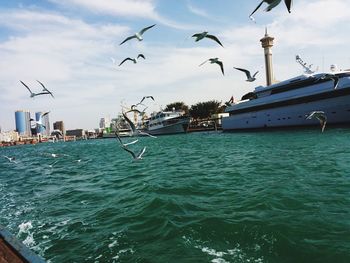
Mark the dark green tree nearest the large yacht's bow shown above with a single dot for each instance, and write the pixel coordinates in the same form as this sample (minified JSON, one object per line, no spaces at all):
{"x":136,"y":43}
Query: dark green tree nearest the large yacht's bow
{"x":204,"y":110}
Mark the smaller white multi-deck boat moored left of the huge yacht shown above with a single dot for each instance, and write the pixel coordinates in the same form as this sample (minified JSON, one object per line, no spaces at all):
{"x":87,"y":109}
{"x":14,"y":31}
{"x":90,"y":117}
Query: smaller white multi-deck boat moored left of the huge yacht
{"x":166,"y":122}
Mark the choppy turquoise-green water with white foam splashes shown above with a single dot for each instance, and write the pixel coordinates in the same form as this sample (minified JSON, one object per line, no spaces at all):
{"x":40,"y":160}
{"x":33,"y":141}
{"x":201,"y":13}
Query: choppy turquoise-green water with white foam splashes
{"x":201,"y":197}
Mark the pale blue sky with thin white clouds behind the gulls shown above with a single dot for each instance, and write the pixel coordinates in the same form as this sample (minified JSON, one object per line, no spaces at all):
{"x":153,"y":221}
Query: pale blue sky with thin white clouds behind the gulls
{"x":68,"y":46}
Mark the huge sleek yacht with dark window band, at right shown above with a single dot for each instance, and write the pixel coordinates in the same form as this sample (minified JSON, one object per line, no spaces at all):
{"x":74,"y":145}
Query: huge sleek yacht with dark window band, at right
{"x":286,"y":104}
